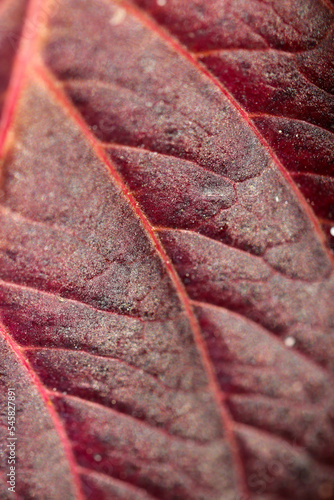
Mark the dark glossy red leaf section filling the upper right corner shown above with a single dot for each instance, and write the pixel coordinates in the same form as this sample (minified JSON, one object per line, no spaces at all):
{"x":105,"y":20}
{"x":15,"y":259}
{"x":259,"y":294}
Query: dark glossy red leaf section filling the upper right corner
{"x":276,"y":59}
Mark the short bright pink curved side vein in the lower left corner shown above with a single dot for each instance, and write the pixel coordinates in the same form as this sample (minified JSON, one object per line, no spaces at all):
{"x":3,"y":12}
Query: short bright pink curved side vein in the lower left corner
{"x":49,"y":406}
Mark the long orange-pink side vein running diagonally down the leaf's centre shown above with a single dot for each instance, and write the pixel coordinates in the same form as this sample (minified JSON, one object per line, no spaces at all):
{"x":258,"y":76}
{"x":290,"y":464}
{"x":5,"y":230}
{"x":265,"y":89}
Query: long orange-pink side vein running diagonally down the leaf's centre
{"x":58,"y":94}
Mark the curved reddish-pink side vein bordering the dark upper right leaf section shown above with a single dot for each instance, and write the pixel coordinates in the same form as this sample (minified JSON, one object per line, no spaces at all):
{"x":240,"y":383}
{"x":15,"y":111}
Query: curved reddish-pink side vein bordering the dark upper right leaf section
{"x":162,"y":33}
